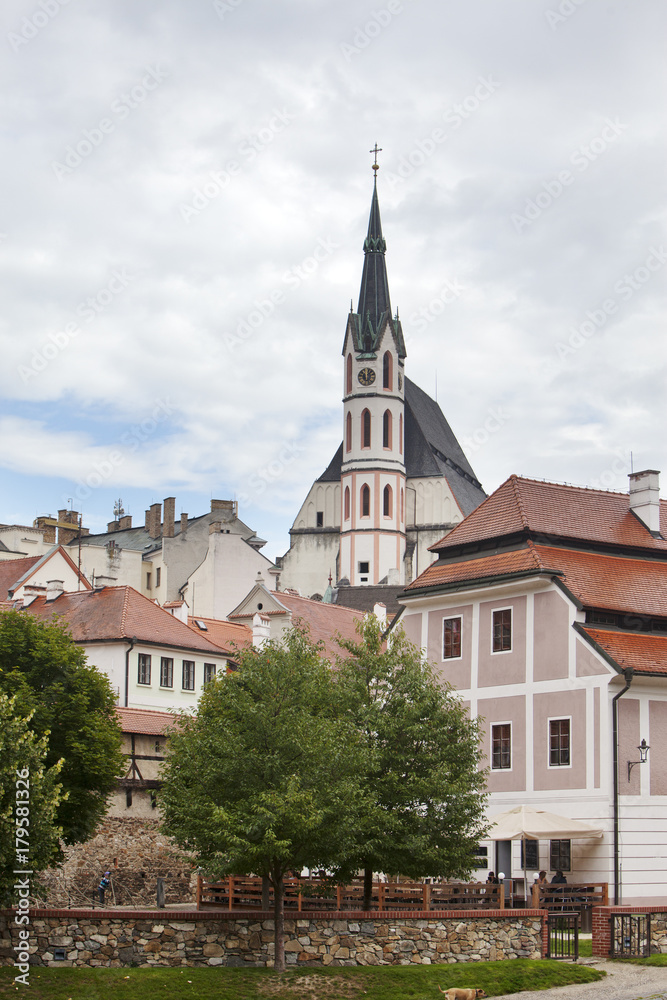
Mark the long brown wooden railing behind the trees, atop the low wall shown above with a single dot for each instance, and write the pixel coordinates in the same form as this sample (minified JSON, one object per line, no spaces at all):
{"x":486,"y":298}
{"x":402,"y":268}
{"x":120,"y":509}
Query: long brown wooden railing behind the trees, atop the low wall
{"x":244,"y":893}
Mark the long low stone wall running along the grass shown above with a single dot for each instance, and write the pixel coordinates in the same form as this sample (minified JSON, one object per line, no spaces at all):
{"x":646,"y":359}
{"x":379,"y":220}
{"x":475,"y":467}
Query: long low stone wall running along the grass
{"x":106,"y":938}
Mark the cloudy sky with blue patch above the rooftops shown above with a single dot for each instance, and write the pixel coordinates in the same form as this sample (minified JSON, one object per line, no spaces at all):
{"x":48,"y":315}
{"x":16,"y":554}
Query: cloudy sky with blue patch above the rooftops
{"x":187,"y":188}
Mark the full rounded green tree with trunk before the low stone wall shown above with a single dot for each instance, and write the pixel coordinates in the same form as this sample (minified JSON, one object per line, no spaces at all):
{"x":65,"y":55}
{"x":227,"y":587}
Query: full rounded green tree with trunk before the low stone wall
{"x":263,"y":780}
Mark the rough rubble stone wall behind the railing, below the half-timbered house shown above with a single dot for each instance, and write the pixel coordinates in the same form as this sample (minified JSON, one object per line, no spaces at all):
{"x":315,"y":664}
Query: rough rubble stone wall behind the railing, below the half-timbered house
{"x":136,"y":854}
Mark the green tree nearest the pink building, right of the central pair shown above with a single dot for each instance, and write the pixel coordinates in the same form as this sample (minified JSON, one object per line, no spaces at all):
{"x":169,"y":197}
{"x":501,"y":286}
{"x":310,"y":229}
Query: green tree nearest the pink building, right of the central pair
{"x":423,"y":780}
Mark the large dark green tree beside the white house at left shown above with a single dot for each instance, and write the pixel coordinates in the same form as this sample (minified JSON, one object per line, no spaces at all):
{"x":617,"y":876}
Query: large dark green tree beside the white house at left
{"x":72,"y":702}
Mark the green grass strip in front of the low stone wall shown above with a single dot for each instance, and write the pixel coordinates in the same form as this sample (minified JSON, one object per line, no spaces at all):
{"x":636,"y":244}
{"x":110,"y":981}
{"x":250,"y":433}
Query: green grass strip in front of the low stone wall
{"x":389,"y":982}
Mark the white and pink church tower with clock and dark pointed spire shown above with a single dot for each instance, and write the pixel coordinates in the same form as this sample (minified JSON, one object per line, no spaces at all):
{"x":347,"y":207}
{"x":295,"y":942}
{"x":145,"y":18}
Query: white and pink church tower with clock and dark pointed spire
{"x":373,"y":471}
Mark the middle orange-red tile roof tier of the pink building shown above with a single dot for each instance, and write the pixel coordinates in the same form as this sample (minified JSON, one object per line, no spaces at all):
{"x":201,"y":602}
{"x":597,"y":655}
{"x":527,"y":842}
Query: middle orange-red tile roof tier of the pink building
{"x":597,"y":580}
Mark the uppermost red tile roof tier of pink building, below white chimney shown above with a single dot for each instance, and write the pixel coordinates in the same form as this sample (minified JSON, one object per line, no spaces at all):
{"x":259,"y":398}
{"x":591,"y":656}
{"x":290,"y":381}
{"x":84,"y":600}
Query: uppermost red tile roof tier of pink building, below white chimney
{"x":570,"y":512}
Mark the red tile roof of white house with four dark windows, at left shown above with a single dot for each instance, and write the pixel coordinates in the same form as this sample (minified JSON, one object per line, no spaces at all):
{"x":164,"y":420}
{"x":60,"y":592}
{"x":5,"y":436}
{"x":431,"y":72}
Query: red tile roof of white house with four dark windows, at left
{"x":114,"y":613}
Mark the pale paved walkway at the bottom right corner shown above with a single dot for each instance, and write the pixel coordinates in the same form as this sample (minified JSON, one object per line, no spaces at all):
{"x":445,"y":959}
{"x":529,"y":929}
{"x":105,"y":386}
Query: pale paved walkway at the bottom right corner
{"x":624,"y":981}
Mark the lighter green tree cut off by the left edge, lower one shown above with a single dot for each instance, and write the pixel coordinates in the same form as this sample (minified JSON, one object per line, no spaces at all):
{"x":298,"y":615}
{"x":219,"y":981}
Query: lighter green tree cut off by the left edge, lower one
{"x":30,"y":793}
